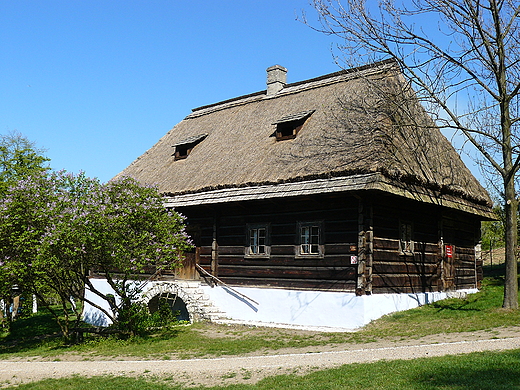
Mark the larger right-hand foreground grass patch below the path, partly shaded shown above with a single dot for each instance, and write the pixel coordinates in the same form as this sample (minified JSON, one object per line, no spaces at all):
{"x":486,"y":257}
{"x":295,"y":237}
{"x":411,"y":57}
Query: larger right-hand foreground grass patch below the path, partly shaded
{"x":476,"y":371}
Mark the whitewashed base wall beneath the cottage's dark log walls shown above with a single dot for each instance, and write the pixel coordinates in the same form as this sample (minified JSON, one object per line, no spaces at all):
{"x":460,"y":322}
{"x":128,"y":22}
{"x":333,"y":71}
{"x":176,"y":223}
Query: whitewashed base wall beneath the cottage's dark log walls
{"x":336,"y":310}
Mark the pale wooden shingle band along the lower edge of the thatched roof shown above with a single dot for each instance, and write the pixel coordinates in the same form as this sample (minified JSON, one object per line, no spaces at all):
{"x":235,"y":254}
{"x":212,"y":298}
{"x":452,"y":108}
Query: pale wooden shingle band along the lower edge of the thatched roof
{"x":360,"y":182}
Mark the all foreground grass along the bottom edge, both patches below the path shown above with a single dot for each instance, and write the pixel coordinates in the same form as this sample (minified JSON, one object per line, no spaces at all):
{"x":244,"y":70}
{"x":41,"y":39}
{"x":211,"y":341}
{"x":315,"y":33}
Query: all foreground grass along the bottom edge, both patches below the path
{"x":482,"y":371}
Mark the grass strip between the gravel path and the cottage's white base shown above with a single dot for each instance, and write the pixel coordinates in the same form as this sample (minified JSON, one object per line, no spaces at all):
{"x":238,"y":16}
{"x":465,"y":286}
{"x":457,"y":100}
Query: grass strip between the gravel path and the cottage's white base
{"x":36,"y":335}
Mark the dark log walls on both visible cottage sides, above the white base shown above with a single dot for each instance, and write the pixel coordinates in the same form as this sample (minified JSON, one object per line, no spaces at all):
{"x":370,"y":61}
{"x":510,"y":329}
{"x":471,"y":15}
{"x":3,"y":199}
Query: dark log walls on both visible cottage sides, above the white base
{"x":366,"y":226}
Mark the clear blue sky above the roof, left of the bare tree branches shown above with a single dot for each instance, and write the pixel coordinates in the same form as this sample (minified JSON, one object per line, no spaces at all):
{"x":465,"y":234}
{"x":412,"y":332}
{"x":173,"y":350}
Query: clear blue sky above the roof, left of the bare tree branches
{"x":97,"y":83}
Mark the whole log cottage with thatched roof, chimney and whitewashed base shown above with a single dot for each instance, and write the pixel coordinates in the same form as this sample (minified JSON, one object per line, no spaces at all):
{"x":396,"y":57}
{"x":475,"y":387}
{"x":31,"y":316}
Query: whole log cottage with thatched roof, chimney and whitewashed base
{"x":330,"y":201}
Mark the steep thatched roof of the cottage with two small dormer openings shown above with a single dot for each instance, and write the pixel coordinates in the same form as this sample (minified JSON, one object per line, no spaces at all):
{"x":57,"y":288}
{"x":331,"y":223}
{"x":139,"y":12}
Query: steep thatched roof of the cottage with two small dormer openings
{"x":357,"y":124}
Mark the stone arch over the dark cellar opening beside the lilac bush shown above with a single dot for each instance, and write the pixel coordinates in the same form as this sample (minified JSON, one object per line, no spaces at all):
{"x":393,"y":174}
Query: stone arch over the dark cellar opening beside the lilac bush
{"x":182,"y":301}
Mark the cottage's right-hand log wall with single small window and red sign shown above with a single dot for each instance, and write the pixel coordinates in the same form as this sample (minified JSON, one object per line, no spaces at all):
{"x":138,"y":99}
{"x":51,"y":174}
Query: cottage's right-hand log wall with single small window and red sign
{"x":427,"y":269}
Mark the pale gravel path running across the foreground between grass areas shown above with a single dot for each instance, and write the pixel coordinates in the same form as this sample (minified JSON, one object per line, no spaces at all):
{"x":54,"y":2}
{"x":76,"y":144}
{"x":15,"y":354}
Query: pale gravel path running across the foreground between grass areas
{"x":250,"y":369}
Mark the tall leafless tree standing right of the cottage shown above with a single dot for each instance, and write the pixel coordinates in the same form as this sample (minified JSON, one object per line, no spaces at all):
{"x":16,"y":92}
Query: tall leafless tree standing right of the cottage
{"x":462,"y":58}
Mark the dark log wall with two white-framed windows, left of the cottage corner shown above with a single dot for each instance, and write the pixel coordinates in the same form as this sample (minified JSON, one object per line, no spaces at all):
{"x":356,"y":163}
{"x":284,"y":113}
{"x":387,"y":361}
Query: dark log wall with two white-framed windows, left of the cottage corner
{"x":226,"y":258}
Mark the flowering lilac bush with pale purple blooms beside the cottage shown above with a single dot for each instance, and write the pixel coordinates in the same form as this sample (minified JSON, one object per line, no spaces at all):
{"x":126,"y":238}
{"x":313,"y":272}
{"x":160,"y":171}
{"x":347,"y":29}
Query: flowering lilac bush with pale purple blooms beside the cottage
{"x":57,"y":228}
